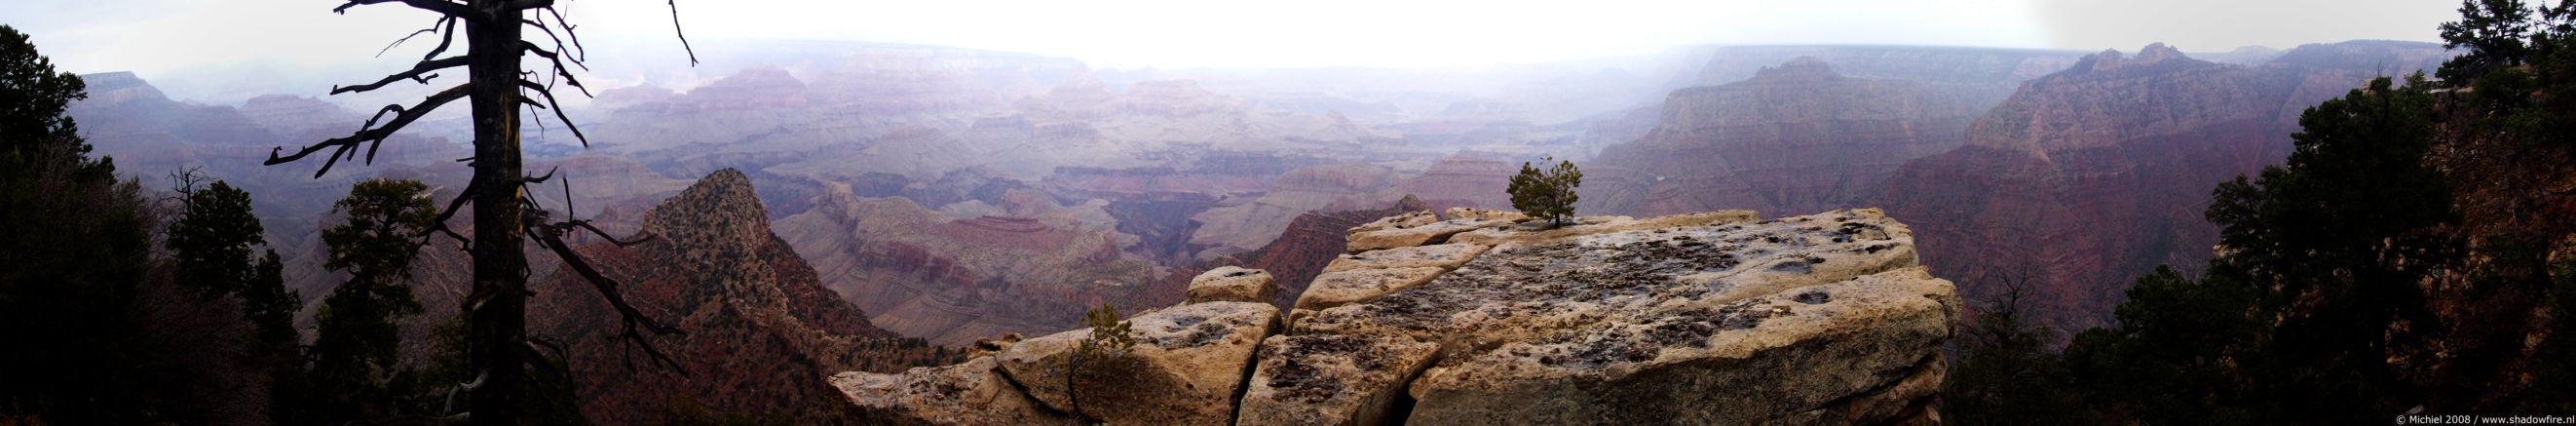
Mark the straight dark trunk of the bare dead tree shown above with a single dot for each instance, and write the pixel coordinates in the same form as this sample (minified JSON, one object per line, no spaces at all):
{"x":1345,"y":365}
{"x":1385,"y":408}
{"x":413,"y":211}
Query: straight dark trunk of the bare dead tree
{"x":501,"y":265}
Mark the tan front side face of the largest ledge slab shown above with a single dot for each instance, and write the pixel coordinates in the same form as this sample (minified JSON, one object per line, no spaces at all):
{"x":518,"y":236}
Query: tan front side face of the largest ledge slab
{"x":1866,"y":352}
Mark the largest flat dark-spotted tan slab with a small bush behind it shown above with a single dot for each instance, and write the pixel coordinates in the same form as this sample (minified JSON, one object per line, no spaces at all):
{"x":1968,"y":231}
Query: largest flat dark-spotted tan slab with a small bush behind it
{"x":1820,"y":316}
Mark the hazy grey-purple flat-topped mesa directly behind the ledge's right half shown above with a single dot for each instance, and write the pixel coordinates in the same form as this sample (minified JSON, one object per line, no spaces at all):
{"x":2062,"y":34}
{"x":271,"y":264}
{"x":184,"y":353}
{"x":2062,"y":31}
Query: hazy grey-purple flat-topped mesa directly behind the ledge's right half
{"x":1797,"y":138}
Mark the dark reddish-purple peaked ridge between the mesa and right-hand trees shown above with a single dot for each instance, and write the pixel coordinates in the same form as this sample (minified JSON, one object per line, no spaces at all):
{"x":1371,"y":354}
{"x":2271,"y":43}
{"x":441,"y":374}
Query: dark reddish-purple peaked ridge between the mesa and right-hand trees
{"x":2098,"y":174}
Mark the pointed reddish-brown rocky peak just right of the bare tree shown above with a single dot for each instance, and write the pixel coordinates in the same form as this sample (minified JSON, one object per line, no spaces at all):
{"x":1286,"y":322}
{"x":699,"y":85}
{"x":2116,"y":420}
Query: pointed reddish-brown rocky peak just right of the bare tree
{"x":761,"y":332}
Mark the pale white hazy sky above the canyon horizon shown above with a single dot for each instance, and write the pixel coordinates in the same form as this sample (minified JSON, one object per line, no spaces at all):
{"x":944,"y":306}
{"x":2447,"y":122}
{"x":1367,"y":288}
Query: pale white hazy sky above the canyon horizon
{"x":161,"y":37}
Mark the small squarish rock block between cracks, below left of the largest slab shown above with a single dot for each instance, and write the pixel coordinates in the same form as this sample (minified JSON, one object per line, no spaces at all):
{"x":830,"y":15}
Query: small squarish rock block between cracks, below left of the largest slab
{"x":1331,"y":378}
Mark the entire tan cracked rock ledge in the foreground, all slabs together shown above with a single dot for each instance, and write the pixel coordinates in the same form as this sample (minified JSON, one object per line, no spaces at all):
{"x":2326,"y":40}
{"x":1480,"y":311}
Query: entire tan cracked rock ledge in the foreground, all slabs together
{"x":1488,"y":319}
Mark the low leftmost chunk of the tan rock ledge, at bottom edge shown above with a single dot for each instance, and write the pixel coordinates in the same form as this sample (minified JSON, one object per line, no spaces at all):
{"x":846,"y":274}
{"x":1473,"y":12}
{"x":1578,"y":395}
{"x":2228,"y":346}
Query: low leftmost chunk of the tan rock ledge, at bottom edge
{"x":962,"y":394}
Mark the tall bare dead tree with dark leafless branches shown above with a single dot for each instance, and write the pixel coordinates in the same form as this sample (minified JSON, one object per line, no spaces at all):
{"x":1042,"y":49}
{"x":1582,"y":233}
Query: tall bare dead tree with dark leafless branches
{"x":496,"y":35}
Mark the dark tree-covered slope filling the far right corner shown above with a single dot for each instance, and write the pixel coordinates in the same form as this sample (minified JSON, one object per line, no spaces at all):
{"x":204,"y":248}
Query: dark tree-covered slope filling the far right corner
{"x":2400,"y":262}
